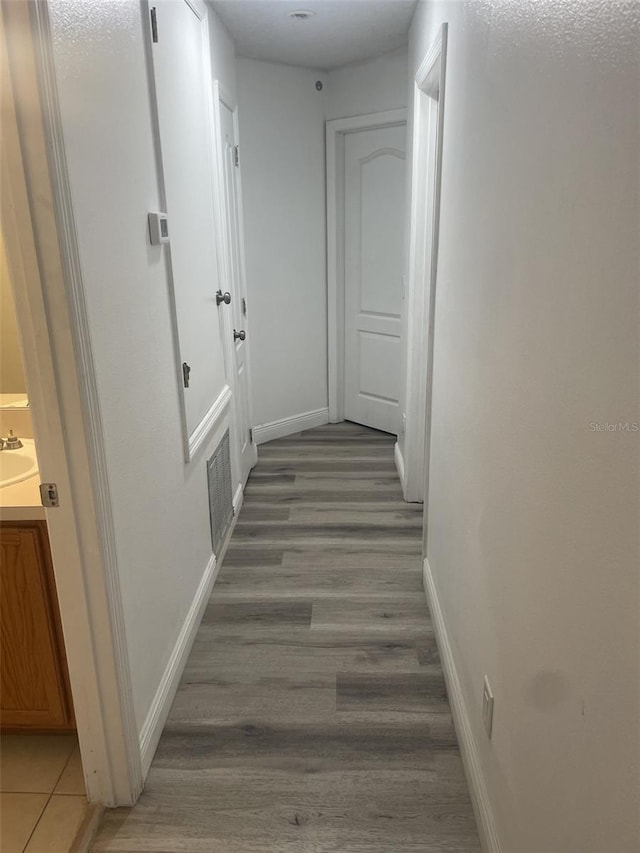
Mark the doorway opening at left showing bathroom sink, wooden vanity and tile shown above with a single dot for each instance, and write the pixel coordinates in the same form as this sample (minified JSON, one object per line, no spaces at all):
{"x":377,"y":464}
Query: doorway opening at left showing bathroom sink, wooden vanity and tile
{"x":42,"y":778}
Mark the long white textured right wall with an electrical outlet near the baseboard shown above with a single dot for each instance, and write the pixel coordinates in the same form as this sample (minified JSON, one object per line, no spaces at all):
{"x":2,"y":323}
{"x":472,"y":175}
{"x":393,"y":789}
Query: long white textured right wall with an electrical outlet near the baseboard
{"x":533,"y":517}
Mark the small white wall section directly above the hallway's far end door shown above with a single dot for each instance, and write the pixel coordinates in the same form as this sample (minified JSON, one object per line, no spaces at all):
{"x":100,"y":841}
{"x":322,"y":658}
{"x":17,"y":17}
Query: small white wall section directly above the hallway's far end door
{"x":368,"y":87}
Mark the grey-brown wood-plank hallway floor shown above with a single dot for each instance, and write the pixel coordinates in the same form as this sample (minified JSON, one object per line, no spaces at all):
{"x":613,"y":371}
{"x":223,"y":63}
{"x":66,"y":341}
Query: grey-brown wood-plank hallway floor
{"x":312,"y":716}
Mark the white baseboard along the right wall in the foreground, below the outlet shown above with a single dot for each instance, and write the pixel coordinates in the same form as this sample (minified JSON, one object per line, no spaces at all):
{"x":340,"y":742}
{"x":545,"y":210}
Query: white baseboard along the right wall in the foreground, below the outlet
{"x":473,"y":770}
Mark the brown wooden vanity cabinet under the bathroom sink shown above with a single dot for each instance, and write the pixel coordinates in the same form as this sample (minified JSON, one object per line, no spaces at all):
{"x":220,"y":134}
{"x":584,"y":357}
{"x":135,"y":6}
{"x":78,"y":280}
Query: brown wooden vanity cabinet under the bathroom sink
{"x":34,"y":680}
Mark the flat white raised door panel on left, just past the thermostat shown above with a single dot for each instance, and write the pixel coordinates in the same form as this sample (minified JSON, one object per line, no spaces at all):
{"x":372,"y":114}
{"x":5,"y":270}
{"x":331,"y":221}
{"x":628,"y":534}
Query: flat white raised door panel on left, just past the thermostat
{"x":184,"y":105}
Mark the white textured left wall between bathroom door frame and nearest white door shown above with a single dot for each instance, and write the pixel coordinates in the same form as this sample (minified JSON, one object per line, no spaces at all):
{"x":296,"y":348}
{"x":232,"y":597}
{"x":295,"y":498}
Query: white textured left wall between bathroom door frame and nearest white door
{"x":160,"y":505}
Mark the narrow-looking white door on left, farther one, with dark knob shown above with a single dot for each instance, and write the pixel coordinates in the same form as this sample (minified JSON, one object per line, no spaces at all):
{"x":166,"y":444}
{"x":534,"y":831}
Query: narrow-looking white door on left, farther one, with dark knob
{"x":236,"y":285}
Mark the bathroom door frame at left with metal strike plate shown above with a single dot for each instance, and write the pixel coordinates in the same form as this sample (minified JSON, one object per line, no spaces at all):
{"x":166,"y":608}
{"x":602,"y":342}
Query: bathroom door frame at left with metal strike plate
{"x":43,"y":255}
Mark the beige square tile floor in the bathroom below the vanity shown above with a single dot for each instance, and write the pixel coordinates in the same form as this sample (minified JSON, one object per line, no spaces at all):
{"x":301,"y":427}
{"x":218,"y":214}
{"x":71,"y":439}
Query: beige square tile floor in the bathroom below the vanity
{"x":42,"y":794}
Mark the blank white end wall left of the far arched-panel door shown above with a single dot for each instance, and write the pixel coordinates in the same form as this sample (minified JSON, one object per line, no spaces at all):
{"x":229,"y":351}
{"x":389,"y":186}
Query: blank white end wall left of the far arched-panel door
{"x":281,"y":119}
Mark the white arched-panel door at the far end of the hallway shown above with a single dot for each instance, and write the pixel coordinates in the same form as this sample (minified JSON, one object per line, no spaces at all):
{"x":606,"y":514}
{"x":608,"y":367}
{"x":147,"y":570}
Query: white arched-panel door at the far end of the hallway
{"x":373,"y":249}
